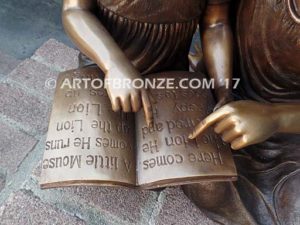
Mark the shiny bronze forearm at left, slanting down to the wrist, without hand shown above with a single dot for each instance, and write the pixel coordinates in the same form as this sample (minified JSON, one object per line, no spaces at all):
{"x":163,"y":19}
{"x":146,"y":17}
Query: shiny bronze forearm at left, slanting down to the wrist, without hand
{"x":90,"y":36}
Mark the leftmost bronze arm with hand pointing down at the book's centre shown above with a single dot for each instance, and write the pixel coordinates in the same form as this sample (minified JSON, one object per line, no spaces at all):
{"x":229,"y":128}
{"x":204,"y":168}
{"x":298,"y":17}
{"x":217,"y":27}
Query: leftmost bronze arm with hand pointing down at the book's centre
{"x":91,"y":37}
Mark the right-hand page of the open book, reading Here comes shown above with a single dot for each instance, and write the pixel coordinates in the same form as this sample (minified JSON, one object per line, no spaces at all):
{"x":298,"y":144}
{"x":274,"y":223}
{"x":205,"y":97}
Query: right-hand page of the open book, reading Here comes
{"x":165,"y":155}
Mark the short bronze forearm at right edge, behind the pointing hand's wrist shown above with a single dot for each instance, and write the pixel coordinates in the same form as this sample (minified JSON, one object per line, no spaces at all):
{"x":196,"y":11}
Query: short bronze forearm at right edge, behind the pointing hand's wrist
{"x":289,"y":118}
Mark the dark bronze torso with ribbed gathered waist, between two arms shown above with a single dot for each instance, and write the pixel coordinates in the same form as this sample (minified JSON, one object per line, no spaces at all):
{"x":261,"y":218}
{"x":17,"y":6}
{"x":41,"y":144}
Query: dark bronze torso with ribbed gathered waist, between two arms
{"x":155,"y":35}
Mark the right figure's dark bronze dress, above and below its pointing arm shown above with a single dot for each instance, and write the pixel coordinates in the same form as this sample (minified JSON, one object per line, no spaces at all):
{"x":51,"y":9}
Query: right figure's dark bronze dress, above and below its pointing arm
{"x":268,"y":33}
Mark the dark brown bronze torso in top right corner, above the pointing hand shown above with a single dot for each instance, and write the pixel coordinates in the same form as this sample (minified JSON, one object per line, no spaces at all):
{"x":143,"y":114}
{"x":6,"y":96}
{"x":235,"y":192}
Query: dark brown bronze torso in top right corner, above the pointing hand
{"x":269,"y":39}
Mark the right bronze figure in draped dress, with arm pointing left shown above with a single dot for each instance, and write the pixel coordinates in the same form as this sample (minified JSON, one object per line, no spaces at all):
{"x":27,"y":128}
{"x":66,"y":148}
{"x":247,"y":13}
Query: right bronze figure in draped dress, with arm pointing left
{"x":268,"y":35}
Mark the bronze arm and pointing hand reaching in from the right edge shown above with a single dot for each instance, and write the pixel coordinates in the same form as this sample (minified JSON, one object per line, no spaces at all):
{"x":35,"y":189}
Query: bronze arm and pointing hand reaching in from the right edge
{"x":245,"y":123}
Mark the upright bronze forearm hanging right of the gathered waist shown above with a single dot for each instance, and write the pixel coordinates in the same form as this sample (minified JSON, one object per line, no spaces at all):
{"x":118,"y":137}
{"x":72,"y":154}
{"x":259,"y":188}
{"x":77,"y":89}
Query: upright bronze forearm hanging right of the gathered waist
{"x":217,"y":44}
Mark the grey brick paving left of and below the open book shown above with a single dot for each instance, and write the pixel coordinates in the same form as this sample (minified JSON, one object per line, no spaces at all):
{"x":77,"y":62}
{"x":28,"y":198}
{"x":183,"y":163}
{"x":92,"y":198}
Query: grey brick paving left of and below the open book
{"x":24,"y":109}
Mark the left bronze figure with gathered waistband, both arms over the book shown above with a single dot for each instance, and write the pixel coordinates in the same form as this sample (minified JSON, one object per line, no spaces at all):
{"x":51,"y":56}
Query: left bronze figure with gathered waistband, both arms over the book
{"x":121,"y":38}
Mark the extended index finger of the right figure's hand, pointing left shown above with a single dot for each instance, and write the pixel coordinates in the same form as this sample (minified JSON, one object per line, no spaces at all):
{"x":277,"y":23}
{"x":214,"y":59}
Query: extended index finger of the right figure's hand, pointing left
{"x":210,"y":120}
